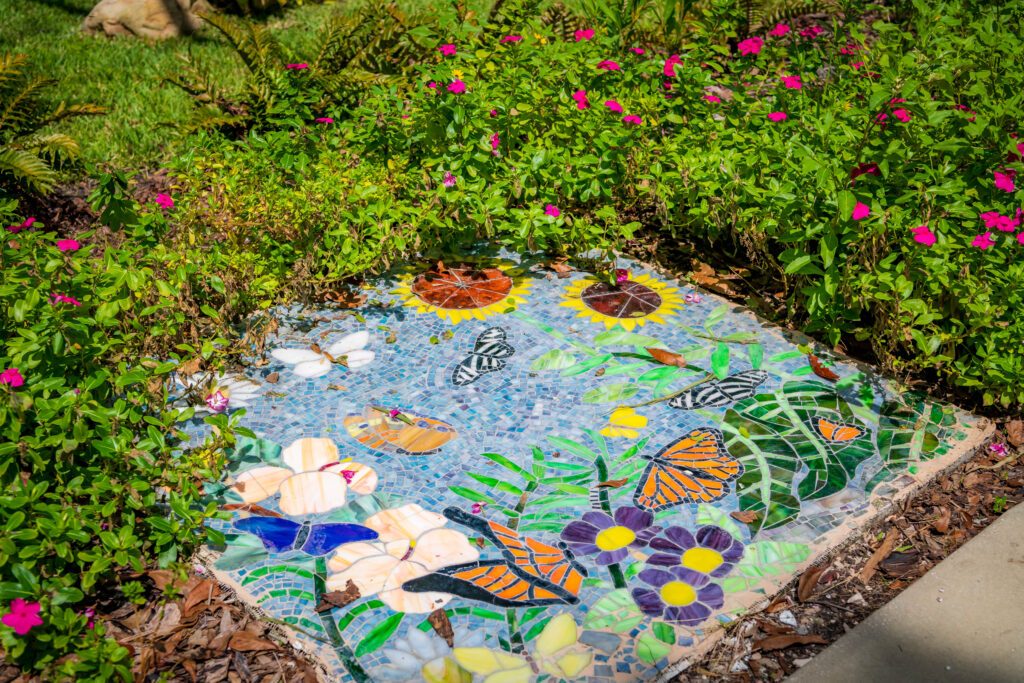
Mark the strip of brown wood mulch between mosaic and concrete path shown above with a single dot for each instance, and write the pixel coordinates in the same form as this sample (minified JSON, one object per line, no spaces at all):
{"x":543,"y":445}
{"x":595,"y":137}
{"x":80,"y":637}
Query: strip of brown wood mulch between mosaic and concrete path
{"x":839,"y":593}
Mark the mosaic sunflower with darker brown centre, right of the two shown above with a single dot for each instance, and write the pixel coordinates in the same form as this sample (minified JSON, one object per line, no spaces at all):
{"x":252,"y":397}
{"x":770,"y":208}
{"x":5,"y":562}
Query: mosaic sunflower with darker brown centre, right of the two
{"x":631,"y":304}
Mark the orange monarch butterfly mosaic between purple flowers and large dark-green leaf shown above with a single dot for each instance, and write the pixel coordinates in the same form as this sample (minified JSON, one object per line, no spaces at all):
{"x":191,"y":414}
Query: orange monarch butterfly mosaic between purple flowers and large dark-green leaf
{"x":693,"y":469}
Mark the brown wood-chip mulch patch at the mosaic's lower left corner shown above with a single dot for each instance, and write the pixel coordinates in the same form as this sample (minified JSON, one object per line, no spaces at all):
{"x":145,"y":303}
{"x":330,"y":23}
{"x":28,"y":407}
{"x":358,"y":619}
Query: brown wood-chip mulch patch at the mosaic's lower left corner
{"x":204,"y":635}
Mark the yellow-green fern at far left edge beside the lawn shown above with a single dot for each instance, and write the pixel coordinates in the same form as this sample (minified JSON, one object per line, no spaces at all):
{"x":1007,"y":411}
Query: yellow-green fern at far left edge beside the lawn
{"x":28,"y":156}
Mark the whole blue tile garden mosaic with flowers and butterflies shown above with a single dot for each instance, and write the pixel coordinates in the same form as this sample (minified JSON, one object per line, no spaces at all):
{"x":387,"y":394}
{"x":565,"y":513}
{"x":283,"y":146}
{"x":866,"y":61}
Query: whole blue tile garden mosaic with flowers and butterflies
{"x":495,"y":474}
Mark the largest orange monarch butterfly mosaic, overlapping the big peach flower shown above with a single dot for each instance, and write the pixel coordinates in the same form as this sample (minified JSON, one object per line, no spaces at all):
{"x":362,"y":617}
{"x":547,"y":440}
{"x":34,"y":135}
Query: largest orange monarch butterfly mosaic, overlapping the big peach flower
{"x":532,"y":574}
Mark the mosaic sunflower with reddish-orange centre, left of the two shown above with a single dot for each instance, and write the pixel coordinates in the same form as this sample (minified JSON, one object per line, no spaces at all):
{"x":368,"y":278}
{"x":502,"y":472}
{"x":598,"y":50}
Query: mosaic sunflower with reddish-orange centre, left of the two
{"x":466,"y":291}
